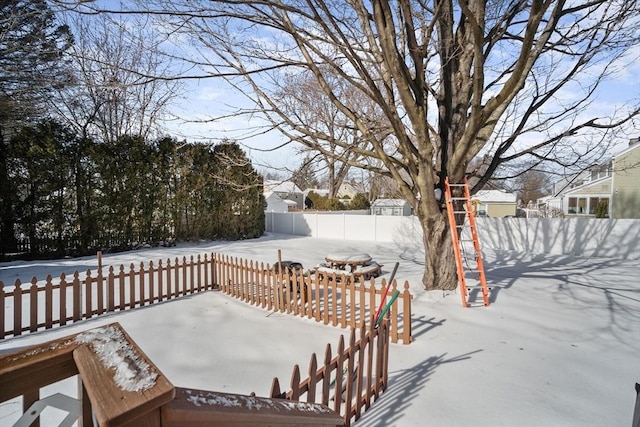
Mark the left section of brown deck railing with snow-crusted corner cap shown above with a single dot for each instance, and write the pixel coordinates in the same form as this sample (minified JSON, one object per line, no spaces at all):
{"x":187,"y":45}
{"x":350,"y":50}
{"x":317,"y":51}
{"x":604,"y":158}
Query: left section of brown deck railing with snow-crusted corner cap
{"x":109,"y":391}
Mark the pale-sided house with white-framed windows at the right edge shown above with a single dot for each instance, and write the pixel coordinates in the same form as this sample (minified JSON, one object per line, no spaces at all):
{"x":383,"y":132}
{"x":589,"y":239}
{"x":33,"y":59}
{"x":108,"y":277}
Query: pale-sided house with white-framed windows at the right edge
{"x":611,"y":189}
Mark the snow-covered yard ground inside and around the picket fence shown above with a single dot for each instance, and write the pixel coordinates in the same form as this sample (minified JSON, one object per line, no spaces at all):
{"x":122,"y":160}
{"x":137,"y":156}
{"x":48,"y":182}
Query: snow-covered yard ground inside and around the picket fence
{"x":559,"y":345}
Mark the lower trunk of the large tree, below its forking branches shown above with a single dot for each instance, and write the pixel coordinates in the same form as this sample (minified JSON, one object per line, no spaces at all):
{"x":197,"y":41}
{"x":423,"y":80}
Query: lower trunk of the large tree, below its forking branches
{"x":440,"y":264}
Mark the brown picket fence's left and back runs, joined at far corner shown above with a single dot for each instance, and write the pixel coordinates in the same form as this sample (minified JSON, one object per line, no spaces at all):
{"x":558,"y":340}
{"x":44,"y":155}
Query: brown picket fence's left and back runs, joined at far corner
{"x":37,"y":305}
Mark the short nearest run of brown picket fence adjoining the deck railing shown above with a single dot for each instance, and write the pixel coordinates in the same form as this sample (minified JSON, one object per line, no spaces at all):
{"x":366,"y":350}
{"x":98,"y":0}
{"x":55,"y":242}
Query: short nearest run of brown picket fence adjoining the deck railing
{"x":348,"y":382}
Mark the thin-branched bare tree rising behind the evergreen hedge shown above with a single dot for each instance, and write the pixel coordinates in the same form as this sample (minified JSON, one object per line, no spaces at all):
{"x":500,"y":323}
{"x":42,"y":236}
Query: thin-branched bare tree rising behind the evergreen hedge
{"x":109,"y":98}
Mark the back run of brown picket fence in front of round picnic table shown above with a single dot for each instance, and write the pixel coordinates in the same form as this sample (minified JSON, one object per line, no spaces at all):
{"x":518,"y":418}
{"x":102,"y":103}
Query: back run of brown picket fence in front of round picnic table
{"x":348,"y":301}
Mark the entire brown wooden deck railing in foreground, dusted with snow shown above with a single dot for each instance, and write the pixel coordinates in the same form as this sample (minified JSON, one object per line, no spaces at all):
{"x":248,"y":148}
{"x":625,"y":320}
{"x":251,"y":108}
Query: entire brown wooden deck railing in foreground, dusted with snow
{"x":140,"y":396}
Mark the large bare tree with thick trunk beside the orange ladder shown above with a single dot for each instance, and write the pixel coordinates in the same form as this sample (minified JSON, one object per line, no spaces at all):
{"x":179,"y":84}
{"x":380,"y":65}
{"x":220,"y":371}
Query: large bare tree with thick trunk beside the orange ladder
{"x":454,"y":80}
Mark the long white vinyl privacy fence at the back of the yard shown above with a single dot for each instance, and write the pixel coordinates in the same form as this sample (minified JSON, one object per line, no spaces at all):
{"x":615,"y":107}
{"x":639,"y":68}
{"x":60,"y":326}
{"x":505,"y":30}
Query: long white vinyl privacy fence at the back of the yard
{"x":609,"y":238}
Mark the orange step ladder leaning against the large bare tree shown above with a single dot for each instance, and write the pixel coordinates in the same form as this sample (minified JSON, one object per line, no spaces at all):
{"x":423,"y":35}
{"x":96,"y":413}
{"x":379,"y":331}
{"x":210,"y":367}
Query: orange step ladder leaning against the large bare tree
{"x":457,"y":229}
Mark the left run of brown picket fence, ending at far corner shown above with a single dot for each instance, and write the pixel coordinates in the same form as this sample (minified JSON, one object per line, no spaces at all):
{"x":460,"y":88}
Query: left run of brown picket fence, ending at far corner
{"x":38,"y":306}
